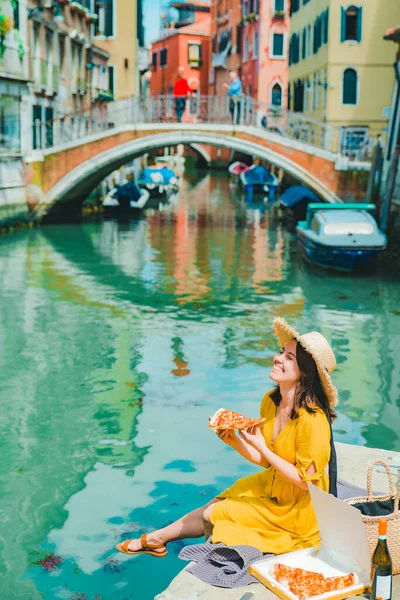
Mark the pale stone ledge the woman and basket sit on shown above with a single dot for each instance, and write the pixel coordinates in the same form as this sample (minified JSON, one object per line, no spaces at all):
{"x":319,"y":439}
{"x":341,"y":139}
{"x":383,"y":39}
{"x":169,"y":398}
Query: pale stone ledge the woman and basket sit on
{"x":353,"y":462}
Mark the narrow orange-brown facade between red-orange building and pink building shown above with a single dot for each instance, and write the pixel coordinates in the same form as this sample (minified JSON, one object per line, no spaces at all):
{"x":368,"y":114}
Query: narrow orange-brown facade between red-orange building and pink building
{"x":226,"y":43}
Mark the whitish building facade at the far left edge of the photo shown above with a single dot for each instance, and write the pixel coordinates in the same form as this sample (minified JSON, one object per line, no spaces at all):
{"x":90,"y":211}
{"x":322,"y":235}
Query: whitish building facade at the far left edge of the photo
{"x":14,"y":114}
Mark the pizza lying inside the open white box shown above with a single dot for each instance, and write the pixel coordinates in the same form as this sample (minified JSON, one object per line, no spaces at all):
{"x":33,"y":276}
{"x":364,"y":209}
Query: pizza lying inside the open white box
{"x":306,"y":584}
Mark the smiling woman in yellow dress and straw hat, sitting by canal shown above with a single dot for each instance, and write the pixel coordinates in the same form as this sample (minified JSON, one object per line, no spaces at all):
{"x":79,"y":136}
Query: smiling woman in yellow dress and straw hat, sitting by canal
{"x":272,"y":509}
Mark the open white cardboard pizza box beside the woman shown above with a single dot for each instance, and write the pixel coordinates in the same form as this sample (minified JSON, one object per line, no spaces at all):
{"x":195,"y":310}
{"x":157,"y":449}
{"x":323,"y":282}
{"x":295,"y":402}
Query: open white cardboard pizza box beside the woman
{"x":343,"y":550}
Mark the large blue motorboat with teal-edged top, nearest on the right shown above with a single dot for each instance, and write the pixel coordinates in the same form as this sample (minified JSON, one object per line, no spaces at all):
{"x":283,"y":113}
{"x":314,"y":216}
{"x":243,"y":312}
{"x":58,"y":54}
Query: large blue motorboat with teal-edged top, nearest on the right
{"x":344,"y":237}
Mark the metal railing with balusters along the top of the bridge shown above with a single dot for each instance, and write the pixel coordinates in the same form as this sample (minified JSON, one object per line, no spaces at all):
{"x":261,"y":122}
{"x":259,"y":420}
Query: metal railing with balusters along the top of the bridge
{"x":216,"y":110}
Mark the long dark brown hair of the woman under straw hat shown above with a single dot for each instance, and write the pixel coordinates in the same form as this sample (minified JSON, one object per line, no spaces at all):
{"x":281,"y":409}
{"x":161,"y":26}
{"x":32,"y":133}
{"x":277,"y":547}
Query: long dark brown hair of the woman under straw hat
{"x":309,"y":393}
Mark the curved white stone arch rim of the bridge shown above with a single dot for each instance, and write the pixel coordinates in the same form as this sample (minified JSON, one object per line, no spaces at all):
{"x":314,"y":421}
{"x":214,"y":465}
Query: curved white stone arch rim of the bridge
{"x":75,"y":186}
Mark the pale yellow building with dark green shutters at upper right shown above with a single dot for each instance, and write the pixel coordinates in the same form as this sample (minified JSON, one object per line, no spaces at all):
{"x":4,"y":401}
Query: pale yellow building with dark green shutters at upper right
{"x":340,"y":68}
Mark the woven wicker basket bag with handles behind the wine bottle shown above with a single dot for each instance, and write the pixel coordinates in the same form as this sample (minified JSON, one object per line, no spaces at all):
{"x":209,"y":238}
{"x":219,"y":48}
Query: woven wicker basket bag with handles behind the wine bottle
{"x":393,"y":519}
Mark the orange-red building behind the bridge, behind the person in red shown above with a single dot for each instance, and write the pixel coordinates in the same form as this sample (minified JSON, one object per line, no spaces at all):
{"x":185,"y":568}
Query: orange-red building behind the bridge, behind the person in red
{"x":184,"y":47}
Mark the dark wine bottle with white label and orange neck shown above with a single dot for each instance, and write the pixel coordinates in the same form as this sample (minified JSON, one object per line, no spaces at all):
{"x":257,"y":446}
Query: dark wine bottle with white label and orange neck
{"x":381,"y":571}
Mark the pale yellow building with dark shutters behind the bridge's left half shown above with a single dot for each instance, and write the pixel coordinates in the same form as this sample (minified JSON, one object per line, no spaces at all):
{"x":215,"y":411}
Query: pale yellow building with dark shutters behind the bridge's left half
{"x":118,"y":34}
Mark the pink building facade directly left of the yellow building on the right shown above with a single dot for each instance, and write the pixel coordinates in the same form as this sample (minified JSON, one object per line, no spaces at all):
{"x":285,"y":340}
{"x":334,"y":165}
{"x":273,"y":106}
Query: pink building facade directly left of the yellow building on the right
{"x":264,"y":50}
